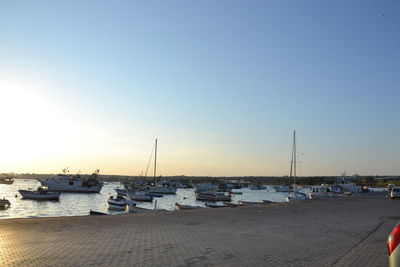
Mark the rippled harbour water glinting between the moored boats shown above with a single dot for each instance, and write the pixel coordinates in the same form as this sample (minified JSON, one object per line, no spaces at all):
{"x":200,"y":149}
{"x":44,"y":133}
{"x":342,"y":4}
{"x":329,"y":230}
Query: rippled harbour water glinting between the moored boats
{"x":74,"y":204}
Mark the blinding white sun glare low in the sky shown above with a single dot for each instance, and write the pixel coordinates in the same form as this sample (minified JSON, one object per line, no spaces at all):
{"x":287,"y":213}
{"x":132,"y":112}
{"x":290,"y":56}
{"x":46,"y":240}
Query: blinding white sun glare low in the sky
{"x":29,"y":123}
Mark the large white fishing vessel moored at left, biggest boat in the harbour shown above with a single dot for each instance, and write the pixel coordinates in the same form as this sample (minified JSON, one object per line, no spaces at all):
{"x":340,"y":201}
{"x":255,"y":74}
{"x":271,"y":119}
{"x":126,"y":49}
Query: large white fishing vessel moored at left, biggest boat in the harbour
{"x":67,"y":183}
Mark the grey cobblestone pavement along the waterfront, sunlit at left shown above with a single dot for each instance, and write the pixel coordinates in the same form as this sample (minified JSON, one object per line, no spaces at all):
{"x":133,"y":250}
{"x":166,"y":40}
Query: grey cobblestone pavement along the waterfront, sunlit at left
{"x":342,"y":231}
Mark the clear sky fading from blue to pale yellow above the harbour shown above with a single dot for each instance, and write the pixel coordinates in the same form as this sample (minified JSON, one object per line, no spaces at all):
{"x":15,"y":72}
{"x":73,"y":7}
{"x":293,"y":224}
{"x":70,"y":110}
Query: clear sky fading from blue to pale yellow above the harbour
{"x":221,"y":84}
